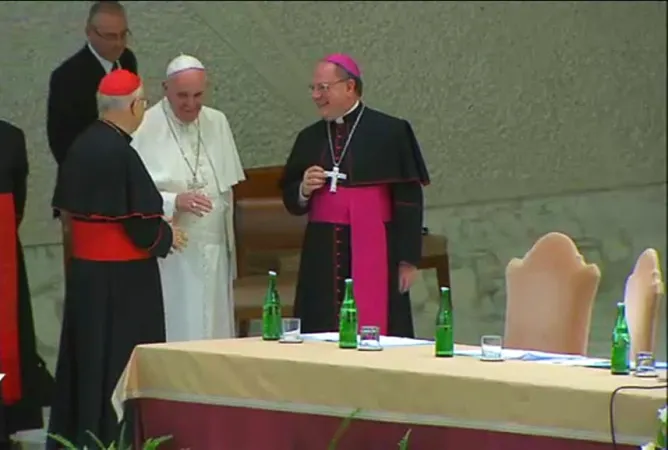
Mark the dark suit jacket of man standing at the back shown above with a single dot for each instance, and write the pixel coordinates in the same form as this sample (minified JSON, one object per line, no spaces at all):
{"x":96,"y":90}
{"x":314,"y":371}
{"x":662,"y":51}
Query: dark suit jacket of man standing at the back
{"x":72,"y":106}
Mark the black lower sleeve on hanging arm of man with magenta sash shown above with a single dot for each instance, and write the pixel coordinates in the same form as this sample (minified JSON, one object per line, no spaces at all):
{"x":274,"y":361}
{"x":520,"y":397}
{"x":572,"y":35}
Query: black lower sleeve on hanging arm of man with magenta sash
{"x":408,"y":204}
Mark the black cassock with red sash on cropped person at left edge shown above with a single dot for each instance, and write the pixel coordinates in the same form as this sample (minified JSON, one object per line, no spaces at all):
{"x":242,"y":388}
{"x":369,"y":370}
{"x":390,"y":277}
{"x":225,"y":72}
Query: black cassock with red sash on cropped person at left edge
{"x":27,"y":385}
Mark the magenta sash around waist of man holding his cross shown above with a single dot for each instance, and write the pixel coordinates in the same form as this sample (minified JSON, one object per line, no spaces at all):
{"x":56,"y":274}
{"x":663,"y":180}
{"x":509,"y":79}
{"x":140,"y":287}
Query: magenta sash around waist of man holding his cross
{"x":366,"y":209}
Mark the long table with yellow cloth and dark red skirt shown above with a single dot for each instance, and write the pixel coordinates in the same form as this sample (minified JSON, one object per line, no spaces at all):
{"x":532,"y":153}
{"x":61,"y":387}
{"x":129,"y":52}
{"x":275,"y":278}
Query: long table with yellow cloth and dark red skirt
{"x":245,"y":394}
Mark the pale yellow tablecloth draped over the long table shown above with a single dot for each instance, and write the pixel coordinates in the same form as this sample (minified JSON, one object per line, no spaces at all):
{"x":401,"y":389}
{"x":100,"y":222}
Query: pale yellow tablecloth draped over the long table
{"x":405,"y":385}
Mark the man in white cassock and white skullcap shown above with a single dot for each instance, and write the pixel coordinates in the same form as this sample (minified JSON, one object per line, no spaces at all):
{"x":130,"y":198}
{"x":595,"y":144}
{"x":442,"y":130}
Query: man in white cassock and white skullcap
{"x":190,"y":153}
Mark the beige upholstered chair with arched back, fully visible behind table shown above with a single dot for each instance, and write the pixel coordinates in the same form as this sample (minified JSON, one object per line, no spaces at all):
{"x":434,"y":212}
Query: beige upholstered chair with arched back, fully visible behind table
{"x":550,"y":297}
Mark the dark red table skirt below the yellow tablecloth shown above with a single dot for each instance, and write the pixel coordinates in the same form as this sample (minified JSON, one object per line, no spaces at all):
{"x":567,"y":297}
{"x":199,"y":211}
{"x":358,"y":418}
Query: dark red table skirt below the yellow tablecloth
{"x":205,"y":427}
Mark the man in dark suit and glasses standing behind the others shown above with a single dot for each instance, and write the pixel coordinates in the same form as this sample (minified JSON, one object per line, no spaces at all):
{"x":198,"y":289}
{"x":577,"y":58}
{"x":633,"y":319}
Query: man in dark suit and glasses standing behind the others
{"x":72,"y":106}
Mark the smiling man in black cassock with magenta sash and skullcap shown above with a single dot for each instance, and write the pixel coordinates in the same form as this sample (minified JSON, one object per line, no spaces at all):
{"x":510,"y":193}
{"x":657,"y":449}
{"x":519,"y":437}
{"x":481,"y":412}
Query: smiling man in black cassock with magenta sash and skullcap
{"x":358,"y":174}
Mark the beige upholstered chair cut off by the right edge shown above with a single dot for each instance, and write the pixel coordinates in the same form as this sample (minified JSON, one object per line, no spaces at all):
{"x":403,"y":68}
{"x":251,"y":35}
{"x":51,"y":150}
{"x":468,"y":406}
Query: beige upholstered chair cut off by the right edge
{"x":642,"y":295}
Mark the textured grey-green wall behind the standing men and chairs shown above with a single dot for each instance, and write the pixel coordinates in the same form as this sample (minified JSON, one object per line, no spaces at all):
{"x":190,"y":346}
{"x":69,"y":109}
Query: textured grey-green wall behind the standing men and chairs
{"x":532,"y":116}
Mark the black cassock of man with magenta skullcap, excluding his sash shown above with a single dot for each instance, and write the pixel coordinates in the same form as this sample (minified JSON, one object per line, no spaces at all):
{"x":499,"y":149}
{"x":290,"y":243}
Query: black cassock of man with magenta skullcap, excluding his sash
{"x":383,"y":152}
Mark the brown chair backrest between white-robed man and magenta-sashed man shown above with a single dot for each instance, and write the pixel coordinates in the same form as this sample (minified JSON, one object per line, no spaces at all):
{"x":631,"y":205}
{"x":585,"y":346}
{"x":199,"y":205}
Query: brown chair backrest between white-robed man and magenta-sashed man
{"x":263,"y":227}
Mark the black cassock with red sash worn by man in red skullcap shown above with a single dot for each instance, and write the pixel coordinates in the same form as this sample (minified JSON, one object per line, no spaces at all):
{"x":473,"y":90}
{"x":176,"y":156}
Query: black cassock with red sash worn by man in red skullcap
{"x":113,"y":299}
